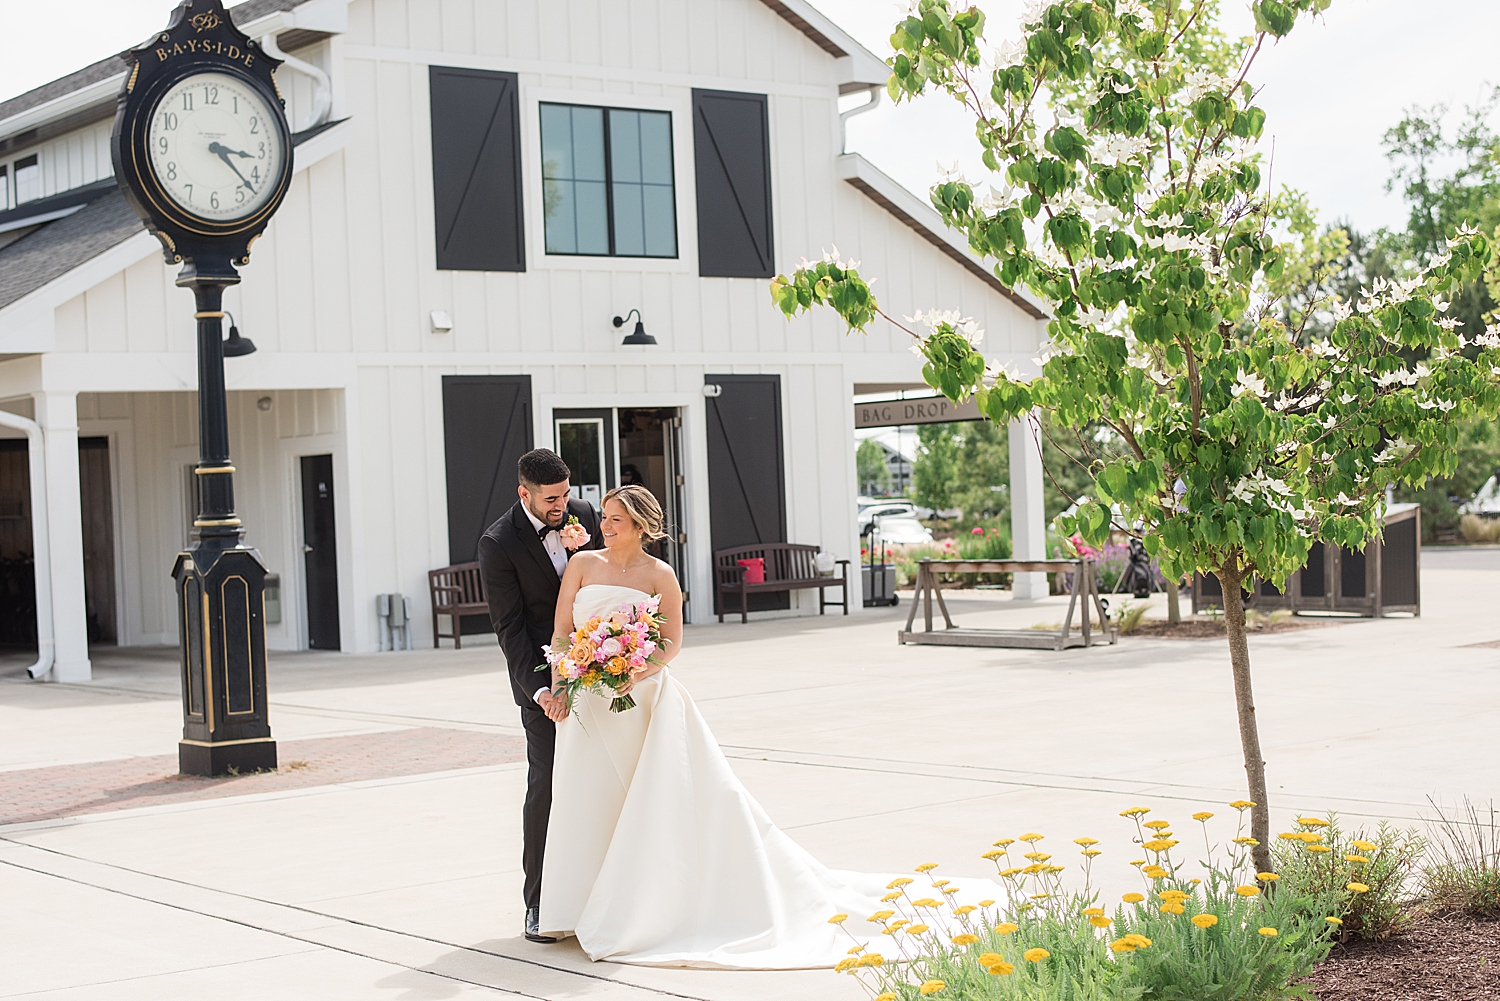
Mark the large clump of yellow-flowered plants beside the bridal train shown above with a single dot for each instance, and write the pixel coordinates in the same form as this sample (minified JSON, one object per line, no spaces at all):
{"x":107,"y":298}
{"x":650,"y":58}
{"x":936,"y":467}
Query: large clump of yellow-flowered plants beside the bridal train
{"x":1181,"y":939}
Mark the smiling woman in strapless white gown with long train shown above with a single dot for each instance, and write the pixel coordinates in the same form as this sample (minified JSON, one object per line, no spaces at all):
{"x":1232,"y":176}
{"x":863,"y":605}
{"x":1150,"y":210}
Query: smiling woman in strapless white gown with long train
{"x":656,"y":853}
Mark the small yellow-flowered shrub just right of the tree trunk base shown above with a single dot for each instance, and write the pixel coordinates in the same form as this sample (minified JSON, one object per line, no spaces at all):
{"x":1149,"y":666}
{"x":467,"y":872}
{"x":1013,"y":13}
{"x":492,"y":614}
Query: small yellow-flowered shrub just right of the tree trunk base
{"x":1319,"y":858}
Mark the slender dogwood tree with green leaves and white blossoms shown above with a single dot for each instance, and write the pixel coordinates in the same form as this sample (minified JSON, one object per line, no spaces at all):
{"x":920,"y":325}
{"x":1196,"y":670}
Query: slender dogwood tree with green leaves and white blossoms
{"x":1127,"y":193}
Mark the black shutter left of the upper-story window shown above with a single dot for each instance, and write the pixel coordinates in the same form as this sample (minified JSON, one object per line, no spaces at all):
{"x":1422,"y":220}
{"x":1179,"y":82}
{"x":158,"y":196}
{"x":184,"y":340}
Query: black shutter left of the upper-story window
{"x":476,"y":170}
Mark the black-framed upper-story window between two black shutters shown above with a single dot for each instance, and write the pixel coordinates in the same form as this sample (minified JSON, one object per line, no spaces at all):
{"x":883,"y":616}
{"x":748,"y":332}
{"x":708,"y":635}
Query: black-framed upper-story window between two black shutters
{"x":607,"y":176}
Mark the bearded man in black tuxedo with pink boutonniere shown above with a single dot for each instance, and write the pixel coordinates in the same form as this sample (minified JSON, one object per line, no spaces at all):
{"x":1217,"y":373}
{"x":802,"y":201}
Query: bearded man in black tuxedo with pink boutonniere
{"x":523,"y":558}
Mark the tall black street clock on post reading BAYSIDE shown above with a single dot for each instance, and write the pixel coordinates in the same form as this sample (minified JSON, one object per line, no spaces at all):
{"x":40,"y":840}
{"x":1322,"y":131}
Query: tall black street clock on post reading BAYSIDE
{"x":206,"y":172}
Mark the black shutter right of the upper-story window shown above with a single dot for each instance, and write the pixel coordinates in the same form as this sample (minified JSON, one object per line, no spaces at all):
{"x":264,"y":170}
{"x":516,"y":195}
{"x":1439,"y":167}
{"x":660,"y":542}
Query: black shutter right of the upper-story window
{"x":733,"y":152}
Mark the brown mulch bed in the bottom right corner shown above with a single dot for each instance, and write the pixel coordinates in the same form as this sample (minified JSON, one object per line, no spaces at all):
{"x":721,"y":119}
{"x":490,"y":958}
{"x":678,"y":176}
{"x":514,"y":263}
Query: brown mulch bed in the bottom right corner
{"x":1435,"y":960}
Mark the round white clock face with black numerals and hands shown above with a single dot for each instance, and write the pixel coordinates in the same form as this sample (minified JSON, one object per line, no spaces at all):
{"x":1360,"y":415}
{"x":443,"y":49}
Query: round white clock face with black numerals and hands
{"x":215,"y":148}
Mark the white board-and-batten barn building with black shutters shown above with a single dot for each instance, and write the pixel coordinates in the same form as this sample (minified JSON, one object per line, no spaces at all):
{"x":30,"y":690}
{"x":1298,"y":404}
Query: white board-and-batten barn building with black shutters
{"x":481,"y":187}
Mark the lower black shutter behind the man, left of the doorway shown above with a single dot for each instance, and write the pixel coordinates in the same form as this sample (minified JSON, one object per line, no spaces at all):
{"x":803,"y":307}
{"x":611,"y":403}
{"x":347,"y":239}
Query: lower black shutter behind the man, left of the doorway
{"x":487,"y":428}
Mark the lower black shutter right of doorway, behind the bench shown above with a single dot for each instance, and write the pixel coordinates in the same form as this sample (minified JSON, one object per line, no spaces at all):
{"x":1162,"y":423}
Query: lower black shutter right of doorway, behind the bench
{"x":746,"y":475}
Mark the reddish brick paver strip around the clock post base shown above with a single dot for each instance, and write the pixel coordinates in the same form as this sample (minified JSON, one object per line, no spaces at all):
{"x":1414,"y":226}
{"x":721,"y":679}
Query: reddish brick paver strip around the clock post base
{"x":41,"y":795}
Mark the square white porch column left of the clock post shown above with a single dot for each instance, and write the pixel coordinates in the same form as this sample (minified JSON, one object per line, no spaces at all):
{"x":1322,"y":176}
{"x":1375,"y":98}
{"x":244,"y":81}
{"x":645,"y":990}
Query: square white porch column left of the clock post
{"x":58,"y":415}
